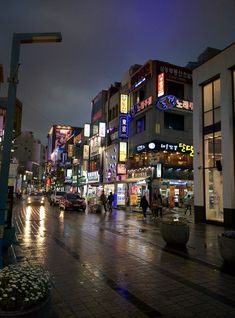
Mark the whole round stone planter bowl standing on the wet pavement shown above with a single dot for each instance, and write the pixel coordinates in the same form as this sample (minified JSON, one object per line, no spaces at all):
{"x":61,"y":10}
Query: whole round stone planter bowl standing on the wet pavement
{"x":175,"y":234}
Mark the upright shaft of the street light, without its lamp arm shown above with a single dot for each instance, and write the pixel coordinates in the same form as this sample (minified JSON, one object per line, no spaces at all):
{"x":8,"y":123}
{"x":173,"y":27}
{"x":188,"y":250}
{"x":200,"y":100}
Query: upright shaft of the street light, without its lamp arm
{"x":7,"y":141}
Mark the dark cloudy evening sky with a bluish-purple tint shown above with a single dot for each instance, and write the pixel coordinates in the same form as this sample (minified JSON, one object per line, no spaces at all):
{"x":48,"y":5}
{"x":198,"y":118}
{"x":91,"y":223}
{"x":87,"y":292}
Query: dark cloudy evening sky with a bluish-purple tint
{"x":101,"y":40}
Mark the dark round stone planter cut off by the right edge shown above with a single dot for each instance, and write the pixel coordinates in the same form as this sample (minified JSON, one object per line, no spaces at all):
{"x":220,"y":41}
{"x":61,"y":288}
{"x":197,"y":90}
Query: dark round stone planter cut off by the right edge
{"x":227,"y":248}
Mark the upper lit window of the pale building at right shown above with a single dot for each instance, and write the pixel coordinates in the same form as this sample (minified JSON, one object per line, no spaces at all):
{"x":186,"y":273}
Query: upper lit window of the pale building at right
{"x":211,"y":103}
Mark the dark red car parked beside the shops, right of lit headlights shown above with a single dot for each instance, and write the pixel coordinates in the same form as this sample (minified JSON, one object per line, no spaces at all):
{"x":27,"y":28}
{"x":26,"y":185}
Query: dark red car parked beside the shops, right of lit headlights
{"x":72,"y":201}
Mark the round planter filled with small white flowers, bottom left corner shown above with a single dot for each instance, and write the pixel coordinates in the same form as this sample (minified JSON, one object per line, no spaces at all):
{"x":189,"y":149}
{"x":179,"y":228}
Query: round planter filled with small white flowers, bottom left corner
{"x":24,"y":291}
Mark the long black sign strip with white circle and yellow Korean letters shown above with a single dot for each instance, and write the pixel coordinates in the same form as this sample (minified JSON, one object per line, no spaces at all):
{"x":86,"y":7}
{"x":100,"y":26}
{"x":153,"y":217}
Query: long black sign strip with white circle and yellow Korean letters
{"x":158,"y":146}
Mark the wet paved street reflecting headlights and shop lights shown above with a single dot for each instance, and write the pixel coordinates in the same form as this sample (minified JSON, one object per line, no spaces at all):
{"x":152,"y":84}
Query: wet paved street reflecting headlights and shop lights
{"x":117,"y":265}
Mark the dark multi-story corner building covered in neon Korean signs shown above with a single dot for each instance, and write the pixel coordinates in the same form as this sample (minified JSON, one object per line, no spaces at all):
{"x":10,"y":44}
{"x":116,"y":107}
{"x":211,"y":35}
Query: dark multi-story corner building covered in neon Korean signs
{"x":160,"y":157}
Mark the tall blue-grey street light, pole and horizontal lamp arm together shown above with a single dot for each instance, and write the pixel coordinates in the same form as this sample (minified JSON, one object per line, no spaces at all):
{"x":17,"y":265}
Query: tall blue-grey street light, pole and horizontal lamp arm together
{"x":18,"y":39}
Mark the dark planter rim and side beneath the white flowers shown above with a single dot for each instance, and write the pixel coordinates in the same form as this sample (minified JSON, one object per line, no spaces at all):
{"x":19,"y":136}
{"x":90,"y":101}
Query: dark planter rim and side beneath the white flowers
{"x":39,"y":311}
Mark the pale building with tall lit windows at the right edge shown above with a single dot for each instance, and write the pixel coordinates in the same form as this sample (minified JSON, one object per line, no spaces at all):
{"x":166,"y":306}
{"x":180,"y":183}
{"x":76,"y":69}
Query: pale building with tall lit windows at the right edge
{"x":213,"y":132}
